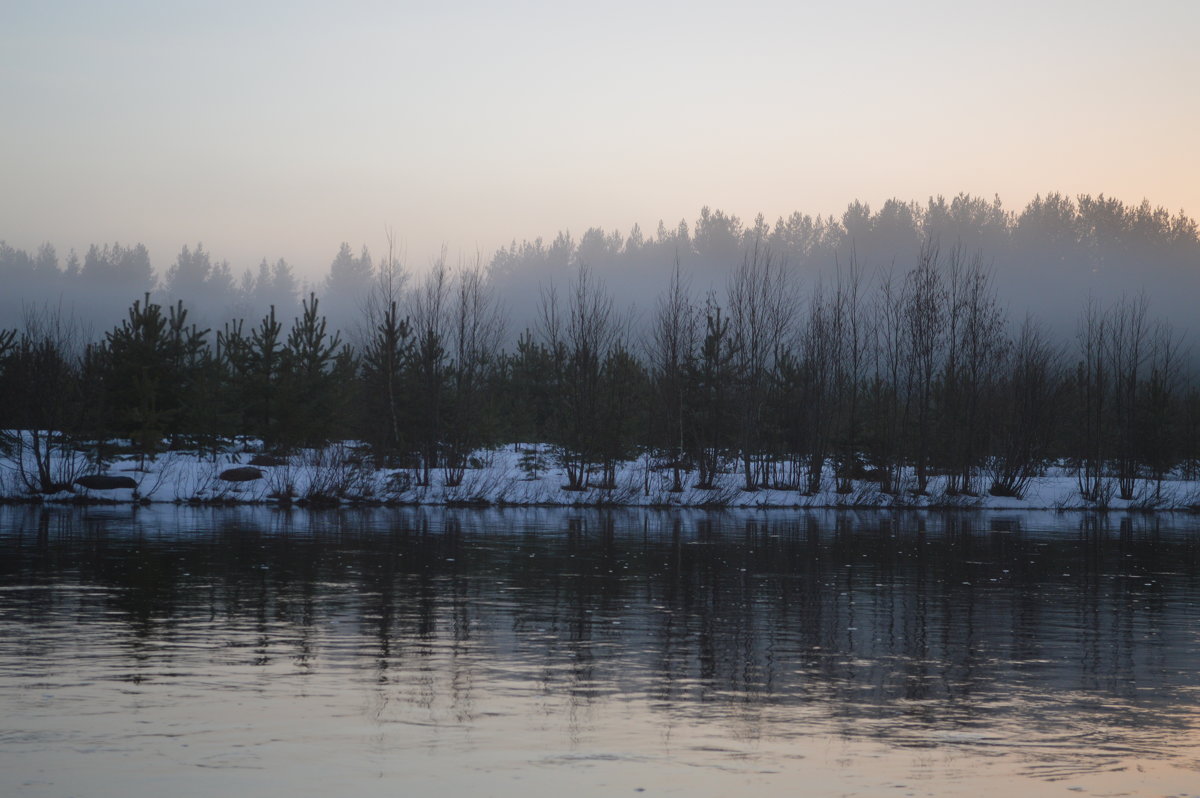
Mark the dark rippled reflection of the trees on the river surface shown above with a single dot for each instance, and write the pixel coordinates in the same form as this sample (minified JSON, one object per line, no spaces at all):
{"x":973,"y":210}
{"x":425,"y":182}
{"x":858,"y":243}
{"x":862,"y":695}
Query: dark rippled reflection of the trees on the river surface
{"x":869,"y":623}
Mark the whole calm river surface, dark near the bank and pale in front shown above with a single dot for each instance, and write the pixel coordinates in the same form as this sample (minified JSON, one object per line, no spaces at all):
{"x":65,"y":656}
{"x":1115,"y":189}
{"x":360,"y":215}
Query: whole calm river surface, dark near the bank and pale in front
{"x":547,"y":652}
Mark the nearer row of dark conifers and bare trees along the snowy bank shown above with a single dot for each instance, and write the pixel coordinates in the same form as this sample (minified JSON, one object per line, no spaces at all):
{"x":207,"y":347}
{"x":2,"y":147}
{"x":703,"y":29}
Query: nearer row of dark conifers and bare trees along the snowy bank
{"x":892,"y":376}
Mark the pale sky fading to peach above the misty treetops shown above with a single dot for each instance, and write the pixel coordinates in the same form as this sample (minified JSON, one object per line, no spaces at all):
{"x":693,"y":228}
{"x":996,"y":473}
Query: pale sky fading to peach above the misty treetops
{"x":284,"y":129}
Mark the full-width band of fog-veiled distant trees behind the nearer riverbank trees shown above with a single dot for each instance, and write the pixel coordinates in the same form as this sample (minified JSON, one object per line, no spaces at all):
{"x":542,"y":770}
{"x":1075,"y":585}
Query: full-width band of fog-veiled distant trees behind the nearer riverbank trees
{"x":1048,"y":259}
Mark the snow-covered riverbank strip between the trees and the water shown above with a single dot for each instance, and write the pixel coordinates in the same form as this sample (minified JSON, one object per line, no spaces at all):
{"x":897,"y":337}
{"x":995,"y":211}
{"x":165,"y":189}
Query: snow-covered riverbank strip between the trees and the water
{"x":511,"y":476}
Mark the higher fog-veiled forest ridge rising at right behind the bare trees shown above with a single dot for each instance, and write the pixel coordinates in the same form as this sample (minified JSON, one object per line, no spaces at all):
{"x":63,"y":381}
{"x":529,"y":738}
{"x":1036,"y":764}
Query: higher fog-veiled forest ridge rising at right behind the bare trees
{"x":1047,"y":259}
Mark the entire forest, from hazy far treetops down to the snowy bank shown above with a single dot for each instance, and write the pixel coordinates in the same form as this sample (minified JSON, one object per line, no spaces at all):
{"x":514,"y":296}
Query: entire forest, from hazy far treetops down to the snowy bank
{"x":890,"y":357}
